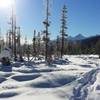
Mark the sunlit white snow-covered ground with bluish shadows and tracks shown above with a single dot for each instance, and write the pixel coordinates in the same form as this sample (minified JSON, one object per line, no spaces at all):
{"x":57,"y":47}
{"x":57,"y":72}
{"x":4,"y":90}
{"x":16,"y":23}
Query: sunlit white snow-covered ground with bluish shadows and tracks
{"x":77,"y":78}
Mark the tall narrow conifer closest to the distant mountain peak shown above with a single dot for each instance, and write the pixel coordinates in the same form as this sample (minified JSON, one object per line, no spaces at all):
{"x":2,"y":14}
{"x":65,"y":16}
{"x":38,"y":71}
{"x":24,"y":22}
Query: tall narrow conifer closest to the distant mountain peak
{"x":63,"y":29}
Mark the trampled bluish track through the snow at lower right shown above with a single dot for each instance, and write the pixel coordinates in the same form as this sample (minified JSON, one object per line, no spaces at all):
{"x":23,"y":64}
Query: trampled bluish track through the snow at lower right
{"x":81,"y":91}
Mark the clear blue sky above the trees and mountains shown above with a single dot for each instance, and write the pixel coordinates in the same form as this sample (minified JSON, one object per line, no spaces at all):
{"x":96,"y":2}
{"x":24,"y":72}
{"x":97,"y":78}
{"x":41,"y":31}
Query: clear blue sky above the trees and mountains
{"x":83,"y":17}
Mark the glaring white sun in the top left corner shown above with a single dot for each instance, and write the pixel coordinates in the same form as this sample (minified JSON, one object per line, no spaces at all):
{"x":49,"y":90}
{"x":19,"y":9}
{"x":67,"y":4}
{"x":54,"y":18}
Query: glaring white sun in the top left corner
{"x":6,"y":3}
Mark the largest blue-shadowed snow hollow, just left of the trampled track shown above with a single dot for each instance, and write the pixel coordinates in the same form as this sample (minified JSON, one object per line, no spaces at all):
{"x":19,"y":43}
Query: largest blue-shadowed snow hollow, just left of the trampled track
{"x":54,"y":82}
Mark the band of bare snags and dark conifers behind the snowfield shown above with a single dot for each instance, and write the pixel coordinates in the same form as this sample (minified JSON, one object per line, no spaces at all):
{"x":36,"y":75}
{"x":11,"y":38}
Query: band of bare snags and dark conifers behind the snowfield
{"x":42,"y":45}
